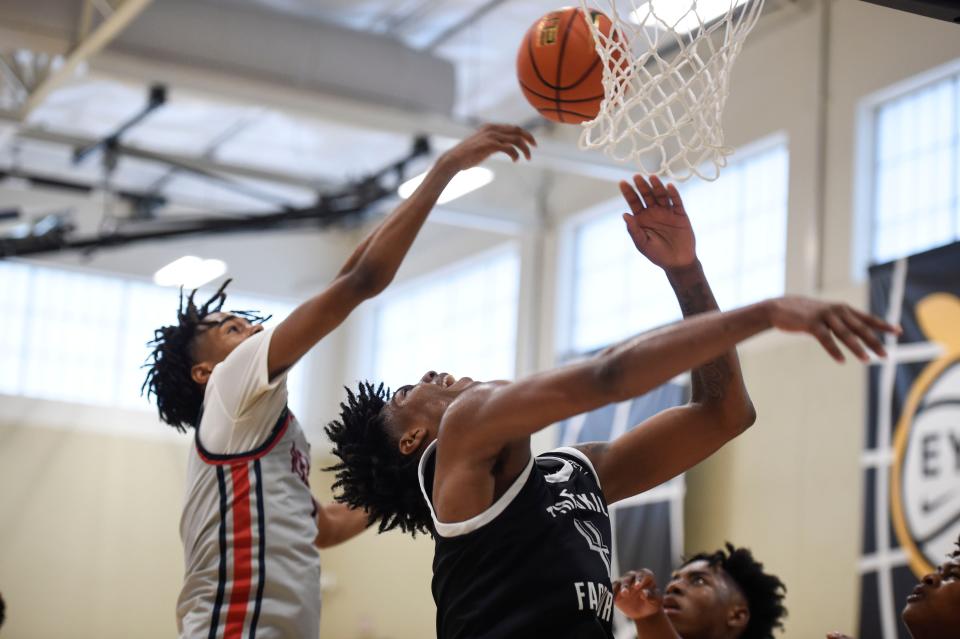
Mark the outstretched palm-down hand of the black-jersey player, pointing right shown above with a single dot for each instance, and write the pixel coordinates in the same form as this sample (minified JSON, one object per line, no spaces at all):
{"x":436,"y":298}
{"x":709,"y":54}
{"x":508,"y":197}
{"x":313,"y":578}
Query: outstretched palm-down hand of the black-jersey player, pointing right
{"x":830,"y":321}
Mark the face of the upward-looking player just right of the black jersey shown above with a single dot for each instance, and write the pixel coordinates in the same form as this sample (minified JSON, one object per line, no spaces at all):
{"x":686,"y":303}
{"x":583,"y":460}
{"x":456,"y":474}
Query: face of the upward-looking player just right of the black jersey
{"x":699,"y":601}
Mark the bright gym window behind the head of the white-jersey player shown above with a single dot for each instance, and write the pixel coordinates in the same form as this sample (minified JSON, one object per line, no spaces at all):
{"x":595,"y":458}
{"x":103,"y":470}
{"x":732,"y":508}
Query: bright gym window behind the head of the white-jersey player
{"x":81,"y":337}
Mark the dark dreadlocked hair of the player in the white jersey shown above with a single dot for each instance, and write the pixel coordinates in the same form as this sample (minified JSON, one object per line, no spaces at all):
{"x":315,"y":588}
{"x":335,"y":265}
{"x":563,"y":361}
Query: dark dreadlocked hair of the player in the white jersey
{"x":169,"y":364}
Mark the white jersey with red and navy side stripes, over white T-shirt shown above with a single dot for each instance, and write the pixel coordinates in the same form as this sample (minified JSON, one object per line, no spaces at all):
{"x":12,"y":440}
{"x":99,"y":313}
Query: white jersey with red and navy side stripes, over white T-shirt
{"x":249,"y":519}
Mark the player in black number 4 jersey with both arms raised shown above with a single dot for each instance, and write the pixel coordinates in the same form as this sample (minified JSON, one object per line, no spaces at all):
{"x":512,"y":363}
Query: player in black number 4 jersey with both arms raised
{"x":523,"y":544}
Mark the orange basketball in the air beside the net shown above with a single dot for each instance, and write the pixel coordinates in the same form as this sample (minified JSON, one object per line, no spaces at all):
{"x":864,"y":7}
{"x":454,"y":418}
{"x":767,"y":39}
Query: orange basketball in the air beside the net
{"x":559,"y":70}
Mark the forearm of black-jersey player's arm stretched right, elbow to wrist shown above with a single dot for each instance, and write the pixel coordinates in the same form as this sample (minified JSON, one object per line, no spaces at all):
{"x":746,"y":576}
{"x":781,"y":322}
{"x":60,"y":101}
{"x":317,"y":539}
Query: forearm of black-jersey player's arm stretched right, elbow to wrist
{"x":642,"y":363}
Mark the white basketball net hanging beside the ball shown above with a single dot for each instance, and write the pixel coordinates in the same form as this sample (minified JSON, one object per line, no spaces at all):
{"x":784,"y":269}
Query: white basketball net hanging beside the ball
{"x":666,"y":77}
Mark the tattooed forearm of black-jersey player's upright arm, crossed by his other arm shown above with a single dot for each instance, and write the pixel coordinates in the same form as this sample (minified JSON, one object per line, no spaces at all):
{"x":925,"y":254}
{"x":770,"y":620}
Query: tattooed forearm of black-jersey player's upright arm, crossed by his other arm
{"x":718,"y":382}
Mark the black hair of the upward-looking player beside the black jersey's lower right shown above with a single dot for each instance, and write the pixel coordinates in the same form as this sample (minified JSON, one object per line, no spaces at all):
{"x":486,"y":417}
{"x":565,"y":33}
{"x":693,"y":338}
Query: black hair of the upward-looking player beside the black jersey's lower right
{"x":764,"y":592}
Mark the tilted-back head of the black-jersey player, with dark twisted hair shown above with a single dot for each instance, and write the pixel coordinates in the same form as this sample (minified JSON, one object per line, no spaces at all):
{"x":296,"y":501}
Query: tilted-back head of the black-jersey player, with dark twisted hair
{"x":380,"y":438}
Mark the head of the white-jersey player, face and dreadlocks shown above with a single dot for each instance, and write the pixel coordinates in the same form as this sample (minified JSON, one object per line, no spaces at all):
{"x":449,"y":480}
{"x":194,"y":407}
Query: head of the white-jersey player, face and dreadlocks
{"x":184,"y":354}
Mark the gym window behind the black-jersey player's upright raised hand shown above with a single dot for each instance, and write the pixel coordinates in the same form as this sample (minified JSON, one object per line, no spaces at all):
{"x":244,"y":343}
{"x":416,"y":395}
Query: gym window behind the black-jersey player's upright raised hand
{"x":740,"y":221}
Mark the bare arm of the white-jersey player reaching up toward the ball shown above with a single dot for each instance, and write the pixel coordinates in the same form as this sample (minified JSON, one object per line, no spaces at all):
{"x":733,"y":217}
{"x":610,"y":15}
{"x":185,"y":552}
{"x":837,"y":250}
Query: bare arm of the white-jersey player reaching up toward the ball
{"x":373,"y":264}
